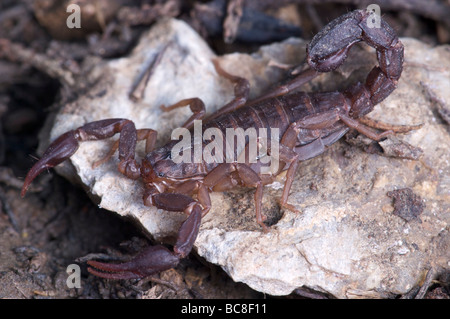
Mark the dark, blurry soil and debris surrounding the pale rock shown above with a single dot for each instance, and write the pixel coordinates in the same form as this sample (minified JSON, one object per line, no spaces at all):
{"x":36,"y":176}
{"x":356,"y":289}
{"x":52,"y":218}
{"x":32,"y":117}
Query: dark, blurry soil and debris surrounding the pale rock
{"x":56,"y":224}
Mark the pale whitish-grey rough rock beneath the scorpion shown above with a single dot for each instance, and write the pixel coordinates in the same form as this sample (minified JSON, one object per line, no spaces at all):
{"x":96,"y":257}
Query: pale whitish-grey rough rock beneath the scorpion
{"x":346,"y":241}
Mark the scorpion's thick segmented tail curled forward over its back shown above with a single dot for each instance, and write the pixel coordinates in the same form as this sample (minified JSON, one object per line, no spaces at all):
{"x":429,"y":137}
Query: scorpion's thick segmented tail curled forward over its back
{"x":329,"y":48}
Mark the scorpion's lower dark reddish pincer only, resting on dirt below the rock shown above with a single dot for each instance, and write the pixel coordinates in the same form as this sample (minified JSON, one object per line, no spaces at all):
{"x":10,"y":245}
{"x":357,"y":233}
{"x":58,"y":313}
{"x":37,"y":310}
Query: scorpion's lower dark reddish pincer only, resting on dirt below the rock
{"x":152,"y":260}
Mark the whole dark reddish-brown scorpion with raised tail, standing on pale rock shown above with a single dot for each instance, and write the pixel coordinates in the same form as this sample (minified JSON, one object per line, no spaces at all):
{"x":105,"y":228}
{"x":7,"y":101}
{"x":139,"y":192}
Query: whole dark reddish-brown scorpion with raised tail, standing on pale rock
{"x":308,"y":123}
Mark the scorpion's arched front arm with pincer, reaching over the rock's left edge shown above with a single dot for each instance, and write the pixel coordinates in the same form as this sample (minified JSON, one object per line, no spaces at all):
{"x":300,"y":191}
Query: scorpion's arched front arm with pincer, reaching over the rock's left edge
{"x":67,"y":144}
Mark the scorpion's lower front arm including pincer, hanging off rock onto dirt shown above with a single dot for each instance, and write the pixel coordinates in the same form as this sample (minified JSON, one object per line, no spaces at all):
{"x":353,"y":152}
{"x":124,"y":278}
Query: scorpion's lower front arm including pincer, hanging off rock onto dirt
{"x":154,"y":259}
